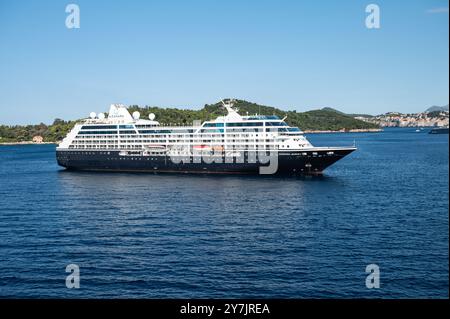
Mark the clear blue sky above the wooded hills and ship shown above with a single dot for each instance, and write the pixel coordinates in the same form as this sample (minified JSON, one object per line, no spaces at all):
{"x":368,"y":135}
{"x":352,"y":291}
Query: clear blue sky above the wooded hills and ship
{"x":289,"y":54}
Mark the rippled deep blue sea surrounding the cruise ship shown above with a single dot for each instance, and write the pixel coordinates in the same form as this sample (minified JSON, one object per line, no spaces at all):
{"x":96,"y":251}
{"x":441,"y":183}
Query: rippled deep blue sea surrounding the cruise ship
{"x":189,"y":236}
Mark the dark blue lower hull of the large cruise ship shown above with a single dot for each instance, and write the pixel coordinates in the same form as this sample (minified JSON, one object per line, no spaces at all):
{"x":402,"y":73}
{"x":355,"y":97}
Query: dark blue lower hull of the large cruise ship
{"x":312,"y":161}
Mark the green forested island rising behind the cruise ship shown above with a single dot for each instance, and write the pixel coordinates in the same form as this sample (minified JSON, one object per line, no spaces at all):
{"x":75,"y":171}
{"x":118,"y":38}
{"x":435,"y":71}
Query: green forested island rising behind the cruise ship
{"x":326,"y":119}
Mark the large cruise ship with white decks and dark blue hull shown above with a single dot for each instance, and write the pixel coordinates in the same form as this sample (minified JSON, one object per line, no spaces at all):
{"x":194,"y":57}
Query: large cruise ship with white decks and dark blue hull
{"x":230,"y":144}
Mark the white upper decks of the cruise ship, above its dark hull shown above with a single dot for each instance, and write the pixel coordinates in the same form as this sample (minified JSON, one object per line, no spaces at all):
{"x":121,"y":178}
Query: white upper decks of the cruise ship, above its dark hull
{"x":122,"y":130}
